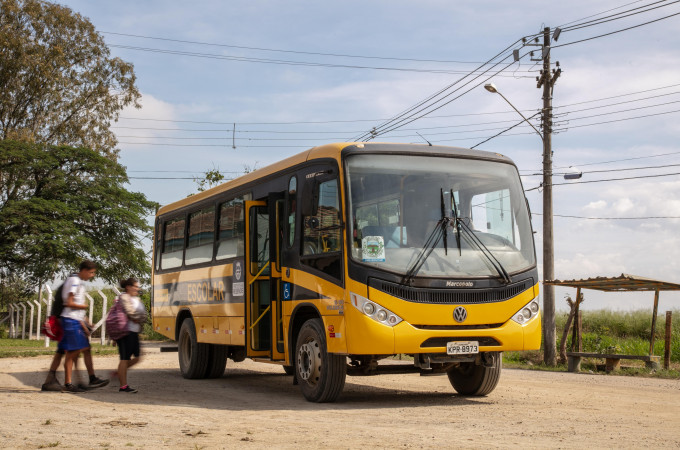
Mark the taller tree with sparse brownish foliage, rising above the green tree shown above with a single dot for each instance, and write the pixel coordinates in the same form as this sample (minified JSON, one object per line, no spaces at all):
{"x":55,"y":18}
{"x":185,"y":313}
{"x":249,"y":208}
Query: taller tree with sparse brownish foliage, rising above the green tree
{"x":58,"y":83}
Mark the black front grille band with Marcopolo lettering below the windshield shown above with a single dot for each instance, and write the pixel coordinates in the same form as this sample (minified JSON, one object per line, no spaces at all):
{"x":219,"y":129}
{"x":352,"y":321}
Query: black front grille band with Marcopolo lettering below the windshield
{"x":451,"y":295}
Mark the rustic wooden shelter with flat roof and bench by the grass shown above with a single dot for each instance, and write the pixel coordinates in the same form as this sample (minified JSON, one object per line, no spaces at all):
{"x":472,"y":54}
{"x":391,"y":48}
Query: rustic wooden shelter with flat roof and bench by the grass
{"x":623,"y":283}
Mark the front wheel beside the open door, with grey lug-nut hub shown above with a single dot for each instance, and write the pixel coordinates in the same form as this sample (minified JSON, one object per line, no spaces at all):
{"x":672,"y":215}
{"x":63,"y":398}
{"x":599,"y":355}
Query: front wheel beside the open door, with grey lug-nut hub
{"x":321,"y":375}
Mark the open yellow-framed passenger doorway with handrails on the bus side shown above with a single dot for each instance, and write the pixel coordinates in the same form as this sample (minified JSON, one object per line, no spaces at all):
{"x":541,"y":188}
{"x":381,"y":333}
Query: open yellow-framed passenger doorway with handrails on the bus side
{"x":258,"y":280}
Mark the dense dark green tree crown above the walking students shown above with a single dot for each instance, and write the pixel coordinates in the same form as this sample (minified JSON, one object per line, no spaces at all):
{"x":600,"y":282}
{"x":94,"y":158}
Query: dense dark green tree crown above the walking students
{"x":60,"y":205}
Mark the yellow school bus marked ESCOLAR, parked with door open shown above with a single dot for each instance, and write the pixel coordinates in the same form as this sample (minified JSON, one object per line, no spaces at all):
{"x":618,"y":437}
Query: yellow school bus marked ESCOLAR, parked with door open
{"x":336,"y":259}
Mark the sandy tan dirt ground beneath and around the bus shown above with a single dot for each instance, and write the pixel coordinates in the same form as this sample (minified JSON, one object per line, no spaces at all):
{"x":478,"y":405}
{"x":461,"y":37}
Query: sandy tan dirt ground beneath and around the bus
{"x":256,"y":406}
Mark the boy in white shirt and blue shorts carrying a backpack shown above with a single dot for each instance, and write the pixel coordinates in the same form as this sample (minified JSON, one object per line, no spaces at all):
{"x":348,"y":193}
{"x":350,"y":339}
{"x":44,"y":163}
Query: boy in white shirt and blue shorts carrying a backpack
{"x":76,"y":332}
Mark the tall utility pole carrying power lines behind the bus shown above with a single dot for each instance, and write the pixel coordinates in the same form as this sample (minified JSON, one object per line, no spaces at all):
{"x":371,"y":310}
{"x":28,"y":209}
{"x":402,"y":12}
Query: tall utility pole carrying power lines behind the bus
{"x":547,"y":81}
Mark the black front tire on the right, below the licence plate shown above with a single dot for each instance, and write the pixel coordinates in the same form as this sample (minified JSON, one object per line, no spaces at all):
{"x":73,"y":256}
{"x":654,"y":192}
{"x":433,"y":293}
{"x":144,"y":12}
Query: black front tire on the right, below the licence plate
{"x":476,"y":380}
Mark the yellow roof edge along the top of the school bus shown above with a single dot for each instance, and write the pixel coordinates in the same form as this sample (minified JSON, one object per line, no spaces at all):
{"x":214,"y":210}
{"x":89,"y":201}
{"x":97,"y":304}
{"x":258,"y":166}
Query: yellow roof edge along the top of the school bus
{"x":331,"y":151}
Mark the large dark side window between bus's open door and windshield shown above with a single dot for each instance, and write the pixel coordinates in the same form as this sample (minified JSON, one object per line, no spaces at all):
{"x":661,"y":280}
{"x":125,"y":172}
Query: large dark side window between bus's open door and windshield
{"x":322,"y":231}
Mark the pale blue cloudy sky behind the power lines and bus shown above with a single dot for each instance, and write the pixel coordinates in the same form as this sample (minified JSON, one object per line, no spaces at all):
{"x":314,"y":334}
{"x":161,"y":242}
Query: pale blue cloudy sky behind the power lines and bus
{"x":242,"y":84}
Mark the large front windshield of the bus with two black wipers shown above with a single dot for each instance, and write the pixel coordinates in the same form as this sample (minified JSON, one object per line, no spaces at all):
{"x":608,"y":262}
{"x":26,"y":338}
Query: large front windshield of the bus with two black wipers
{"x":398,"y":204}
